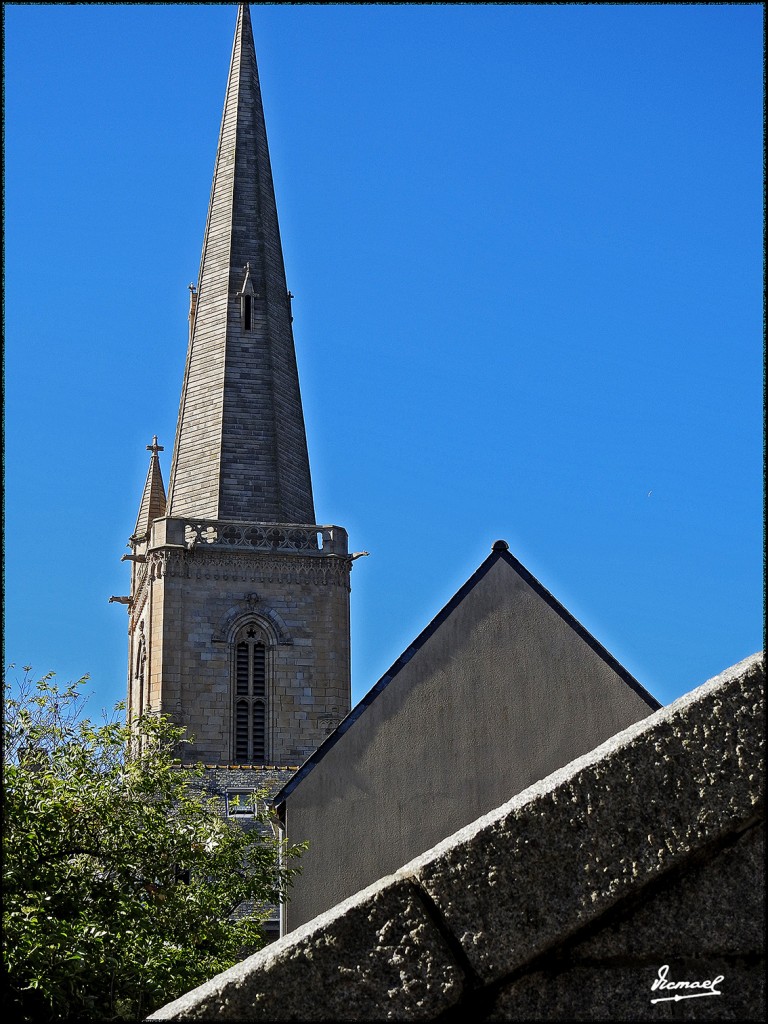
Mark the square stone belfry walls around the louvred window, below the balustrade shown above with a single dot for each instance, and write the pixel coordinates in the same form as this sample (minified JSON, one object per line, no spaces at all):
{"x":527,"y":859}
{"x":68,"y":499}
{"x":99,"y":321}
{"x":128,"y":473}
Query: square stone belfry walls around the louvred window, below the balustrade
{"x":197,"y":601}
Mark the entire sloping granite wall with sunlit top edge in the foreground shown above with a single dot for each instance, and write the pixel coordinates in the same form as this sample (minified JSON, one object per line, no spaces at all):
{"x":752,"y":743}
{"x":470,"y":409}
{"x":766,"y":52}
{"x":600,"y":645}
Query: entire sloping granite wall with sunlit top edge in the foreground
{"x":641,"y":861}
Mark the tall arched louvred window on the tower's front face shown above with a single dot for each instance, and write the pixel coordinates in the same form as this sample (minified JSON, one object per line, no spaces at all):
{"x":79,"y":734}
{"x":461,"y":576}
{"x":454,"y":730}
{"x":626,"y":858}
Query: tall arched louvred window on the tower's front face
{"x":251,"y":696}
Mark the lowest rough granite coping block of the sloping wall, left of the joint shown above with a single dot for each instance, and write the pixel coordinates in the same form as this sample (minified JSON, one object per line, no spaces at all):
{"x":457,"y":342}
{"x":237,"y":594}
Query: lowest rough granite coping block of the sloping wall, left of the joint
{"x":378,"y":956}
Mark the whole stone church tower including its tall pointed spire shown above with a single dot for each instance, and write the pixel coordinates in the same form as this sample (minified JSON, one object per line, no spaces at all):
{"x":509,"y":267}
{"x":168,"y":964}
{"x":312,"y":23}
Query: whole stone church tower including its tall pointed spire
{"x":239,"y":609}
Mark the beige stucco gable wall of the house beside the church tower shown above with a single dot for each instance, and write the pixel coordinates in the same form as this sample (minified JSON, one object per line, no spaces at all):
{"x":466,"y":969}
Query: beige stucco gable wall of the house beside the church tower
{"x":502,"y":694}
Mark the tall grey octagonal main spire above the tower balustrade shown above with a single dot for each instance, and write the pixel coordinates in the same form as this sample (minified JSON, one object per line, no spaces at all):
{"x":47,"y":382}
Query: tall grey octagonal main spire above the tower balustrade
{"x":241,"y":448}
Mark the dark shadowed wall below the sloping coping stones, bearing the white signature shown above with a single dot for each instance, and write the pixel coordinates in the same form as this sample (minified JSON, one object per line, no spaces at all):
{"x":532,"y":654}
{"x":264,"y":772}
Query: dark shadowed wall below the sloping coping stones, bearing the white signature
{"x":701,"y":921}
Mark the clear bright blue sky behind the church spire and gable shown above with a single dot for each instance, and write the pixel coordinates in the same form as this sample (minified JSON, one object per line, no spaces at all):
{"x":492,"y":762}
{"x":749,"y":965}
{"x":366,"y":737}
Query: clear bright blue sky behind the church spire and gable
{"x":526,"y":244}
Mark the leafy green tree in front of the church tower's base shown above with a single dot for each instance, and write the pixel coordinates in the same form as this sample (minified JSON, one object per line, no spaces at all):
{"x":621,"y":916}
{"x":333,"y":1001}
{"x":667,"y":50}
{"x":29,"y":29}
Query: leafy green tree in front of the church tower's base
{"x":120,"y":876}
